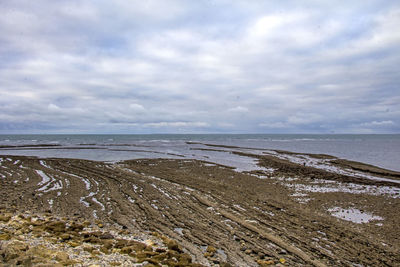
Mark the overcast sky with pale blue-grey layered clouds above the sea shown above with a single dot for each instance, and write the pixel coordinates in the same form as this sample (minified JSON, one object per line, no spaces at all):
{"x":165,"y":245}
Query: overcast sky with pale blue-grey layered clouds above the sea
{"x":204,"y":66}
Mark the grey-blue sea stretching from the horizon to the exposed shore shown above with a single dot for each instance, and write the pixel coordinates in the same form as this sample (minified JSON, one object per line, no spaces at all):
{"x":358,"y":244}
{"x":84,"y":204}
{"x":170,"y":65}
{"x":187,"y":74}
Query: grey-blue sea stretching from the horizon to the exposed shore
{"x":378,"y":150}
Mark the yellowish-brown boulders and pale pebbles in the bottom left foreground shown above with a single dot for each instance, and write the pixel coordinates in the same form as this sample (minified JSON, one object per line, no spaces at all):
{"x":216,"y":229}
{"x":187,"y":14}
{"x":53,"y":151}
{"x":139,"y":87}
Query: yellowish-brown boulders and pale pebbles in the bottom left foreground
{"x":32,"y":239}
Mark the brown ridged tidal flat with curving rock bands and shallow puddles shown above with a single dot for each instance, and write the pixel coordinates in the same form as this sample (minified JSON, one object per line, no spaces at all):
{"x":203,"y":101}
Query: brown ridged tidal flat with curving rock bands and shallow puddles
{"x":295,"y":209}
